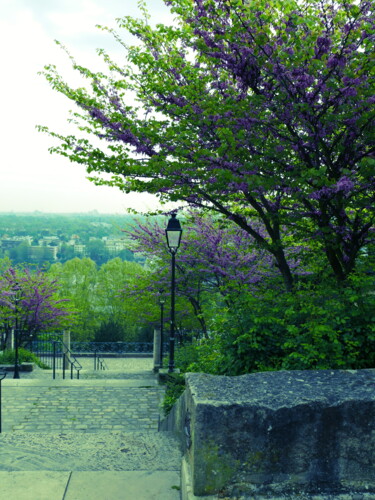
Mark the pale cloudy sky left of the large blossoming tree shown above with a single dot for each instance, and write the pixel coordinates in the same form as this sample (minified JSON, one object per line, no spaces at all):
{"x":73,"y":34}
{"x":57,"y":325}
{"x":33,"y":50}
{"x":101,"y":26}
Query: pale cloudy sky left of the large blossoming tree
{"x":31,"y":179}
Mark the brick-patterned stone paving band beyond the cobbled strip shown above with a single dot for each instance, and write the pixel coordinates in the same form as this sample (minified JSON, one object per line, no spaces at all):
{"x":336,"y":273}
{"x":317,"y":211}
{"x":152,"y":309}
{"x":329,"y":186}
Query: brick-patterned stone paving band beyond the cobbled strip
{"x":37,"y":405}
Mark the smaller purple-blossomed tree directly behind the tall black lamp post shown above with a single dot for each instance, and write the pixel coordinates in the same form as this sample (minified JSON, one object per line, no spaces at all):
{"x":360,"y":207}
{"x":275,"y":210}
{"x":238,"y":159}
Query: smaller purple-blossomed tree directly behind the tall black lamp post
{"x":217,"y":262}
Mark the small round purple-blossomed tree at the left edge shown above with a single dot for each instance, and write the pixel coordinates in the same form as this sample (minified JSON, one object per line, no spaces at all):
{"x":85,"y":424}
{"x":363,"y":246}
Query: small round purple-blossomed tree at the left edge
{"x":28,"y":301}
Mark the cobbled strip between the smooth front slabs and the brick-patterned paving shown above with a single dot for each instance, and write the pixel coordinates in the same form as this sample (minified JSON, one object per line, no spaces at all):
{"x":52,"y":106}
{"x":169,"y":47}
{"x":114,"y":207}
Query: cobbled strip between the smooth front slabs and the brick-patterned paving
{"x":112,"y":451}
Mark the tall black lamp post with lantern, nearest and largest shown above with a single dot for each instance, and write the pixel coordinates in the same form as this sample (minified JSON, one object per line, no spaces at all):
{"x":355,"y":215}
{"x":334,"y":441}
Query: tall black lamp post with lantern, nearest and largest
{"x":173,"y":234}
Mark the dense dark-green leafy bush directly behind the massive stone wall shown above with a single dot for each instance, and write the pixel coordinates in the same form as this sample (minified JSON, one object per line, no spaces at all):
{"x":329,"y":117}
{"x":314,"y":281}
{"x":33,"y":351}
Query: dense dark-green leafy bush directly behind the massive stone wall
{"x":317,"y":326}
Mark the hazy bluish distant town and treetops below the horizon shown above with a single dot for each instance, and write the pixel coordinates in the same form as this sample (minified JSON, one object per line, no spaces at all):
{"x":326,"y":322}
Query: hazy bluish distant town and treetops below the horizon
{"x":48,"y":238}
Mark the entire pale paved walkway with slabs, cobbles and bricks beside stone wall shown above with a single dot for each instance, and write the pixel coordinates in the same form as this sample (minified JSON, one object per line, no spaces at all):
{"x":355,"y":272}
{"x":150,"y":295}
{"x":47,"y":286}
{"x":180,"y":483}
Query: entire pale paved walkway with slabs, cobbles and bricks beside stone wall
{"x":88,"y":439}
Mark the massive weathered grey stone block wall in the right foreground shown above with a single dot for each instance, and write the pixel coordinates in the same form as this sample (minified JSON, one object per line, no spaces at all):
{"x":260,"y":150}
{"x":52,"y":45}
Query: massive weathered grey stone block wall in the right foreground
{"x":279,"y":433}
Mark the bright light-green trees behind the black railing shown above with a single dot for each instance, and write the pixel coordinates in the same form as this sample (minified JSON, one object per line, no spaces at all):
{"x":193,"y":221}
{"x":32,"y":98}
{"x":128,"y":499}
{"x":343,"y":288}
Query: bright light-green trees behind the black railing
{"x":103,"y":297}
